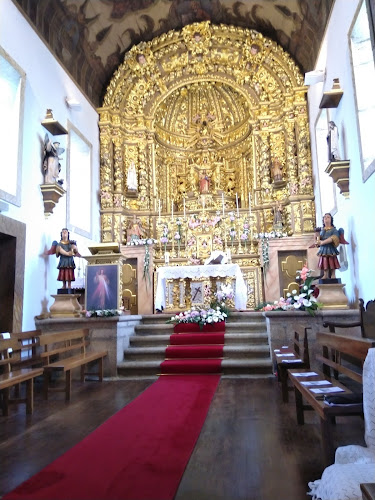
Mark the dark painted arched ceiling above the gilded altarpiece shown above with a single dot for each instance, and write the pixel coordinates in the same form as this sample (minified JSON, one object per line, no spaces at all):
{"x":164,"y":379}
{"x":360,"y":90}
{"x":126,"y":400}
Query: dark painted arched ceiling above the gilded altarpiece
{"x":90,"y":37}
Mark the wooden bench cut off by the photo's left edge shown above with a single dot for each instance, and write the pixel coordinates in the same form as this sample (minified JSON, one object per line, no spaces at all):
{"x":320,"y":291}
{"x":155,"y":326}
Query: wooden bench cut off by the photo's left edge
{"x":11,"y":376}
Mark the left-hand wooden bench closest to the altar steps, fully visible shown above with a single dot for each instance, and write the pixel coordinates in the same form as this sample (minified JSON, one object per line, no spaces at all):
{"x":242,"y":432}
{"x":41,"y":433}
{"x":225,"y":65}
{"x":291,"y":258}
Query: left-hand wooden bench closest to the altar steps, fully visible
{"x":64,"y":351}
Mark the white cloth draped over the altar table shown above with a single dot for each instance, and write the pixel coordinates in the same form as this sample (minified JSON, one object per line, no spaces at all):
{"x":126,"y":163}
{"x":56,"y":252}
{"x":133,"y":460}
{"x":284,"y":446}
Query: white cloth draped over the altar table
{"x":214,"y":270}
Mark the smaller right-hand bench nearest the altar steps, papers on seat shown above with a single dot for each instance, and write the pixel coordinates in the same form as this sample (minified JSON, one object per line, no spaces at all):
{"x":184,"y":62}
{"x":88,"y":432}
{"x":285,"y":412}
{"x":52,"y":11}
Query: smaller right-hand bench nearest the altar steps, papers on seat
{"x":287,"y":357}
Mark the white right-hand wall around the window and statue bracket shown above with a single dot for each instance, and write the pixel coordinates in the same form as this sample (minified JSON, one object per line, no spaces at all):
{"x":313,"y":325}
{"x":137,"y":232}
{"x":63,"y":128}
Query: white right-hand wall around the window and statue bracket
{"x":355,"y":214}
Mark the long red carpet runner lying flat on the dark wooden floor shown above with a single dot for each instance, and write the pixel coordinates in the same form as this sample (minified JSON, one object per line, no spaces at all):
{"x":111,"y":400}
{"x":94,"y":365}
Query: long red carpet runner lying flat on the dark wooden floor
{"x":138,"y":454}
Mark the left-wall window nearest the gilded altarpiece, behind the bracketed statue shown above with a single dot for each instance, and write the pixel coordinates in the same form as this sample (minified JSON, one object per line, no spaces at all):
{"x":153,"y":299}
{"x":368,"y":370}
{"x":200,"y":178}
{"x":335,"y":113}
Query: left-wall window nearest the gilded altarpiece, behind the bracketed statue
{"x":79,"y":182}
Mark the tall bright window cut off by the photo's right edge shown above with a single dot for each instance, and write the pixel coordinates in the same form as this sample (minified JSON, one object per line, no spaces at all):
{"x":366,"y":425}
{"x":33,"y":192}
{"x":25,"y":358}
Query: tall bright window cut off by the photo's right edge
{"x":364,"y":83}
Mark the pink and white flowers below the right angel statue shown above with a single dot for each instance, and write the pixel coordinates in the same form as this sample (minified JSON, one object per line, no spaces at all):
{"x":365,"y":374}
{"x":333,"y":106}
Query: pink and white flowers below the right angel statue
{"x":305,"y":300}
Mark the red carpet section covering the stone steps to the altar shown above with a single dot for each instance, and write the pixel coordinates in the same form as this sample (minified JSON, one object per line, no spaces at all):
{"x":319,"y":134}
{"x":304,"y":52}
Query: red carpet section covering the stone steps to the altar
{"x":194,"y":353}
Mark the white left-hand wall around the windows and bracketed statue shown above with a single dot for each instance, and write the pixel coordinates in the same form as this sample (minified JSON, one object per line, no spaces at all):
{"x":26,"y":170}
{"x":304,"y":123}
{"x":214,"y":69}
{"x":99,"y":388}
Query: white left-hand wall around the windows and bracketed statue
{"x":47,"y":86}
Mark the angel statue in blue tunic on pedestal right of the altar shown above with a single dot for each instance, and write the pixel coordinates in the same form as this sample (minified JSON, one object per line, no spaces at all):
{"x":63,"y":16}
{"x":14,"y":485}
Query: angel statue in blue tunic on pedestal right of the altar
{"x":328,"y":239}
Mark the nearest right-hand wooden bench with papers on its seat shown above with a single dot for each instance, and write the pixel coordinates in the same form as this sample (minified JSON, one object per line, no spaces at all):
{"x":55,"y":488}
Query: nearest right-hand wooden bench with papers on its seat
{"x":313,"y":394}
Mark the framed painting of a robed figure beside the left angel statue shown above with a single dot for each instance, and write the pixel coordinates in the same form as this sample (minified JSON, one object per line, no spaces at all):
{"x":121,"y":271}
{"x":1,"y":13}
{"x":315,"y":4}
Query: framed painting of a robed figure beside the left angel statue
{"x":102,"y":287}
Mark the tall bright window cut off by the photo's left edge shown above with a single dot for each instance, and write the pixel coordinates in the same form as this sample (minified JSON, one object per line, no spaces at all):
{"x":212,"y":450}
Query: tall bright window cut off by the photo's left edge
{"x":12,"y":87}
